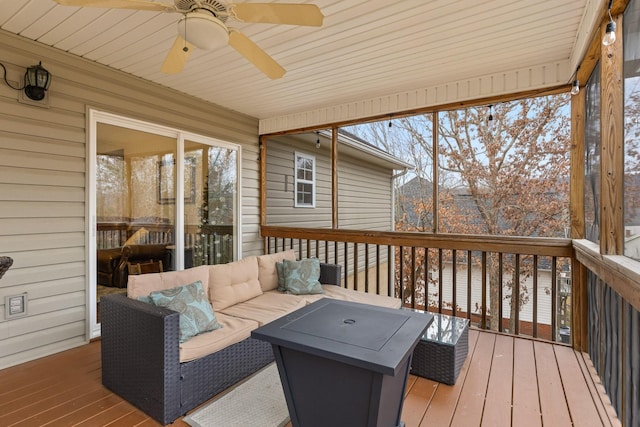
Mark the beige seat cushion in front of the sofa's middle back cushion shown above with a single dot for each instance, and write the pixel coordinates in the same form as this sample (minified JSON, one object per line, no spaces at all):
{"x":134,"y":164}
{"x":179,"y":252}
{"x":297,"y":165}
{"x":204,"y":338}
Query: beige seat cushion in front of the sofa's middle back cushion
{"x":266,"y":307}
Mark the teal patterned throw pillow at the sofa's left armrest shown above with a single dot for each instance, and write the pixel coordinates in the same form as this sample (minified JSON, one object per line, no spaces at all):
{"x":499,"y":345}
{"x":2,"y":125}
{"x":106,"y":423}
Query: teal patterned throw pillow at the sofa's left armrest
{"x":196,"y":313}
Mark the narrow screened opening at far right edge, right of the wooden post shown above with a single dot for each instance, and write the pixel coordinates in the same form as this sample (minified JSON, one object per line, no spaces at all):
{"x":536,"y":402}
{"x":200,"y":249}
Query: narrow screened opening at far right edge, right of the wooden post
{"x":631,"y":196}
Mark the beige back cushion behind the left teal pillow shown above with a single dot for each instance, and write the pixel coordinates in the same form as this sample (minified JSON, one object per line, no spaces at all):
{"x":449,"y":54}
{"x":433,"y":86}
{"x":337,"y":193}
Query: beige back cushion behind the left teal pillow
{"x":144,"y":284}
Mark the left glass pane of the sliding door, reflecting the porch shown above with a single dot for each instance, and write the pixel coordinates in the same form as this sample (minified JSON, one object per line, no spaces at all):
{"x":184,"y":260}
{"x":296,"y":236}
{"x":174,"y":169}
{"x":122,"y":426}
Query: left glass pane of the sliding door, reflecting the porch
{"x":135,"y":203}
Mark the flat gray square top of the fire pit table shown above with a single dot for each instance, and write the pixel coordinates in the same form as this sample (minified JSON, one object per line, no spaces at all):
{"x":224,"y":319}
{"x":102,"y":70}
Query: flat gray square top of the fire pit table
{"x":372,"y":337}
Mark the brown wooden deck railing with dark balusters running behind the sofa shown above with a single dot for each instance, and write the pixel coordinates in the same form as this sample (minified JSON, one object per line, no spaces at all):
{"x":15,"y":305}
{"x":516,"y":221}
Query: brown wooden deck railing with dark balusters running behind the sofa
{"x":453,"y":274}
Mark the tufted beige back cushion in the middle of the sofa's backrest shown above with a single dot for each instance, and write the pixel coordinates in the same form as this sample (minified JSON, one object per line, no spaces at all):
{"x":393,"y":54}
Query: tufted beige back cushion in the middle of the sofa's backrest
{"x":233,"y":283}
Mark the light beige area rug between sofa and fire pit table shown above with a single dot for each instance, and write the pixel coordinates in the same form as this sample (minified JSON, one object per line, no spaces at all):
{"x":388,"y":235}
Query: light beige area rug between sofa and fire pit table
{"x":257,"y":402}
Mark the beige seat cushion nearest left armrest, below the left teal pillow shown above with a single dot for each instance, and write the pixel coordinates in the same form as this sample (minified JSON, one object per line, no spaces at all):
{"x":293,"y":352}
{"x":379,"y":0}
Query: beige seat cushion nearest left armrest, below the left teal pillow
{"x":234,"y":330}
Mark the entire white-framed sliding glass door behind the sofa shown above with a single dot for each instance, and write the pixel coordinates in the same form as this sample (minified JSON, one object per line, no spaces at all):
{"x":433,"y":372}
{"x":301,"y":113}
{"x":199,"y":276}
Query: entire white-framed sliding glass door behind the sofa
{"x":160,"y":200}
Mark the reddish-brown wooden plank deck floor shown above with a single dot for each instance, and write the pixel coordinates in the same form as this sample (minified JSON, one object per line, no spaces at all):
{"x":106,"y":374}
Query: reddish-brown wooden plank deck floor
{"x":505,"y":381}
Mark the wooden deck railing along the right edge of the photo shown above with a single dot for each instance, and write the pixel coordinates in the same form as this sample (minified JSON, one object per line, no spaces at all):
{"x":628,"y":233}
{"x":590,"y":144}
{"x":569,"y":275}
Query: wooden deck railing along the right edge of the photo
{"x":612,"y":311}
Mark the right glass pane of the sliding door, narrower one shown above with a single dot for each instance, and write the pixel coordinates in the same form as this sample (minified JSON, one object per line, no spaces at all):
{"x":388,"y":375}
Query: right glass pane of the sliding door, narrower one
{"x":210,"y":219}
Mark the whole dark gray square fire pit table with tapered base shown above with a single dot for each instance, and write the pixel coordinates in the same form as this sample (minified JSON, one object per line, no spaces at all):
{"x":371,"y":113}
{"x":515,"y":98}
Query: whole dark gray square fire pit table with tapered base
{"x":343,"y":363}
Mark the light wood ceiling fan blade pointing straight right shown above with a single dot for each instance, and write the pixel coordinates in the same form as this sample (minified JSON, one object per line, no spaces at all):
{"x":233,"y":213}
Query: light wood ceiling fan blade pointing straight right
{"x":278,"y":13}
